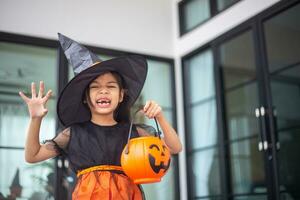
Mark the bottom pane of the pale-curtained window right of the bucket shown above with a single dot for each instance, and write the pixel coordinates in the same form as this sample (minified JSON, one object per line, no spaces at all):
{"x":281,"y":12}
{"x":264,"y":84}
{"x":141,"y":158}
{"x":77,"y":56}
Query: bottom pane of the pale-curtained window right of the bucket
{"x":204,"y":173}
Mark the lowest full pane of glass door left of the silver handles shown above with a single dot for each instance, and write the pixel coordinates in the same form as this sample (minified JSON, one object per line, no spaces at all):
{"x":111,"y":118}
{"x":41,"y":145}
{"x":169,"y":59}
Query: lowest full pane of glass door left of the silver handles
{"x":247,"y":167}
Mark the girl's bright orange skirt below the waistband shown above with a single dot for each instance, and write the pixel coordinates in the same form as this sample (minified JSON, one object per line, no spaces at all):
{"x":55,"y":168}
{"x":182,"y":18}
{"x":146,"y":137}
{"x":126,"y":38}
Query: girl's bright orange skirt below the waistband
{"x":106,"y":185}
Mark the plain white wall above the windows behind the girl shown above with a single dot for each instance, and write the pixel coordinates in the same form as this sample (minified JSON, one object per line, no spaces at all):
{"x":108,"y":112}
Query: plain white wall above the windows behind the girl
{"x":142,"y":26}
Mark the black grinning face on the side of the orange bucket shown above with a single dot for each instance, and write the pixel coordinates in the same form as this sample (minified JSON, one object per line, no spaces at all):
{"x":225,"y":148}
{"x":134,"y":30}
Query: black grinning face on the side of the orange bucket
{"x":159,"y":157}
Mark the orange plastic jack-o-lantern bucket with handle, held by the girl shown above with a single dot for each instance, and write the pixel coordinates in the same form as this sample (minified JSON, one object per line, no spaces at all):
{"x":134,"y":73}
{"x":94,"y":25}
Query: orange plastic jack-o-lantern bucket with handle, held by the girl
{"x":145,"y":159}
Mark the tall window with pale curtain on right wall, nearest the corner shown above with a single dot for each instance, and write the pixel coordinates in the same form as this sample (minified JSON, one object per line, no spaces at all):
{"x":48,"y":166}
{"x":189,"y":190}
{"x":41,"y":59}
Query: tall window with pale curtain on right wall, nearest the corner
{"x":201,"y":120}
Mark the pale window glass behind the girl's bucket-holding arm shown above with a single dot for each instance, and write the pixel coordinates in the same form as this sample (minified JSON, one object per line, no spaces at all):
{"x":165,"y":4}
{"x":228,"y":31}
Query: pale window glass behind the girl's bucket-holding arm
{"x":158,"y":87}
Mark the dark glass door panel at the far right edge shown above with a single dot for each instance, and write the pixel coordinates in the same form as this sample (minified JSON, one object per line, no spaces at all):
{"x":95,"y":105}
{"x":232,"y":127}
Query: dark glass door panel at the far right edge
{"x":282,"y":40}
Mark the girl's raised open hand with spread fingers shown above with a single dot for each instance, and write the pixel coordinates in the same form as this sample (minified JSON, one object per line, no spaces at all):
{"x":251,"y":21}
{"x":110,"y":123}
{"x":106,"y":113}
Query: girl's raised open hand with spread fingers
{"x":37,"y":103}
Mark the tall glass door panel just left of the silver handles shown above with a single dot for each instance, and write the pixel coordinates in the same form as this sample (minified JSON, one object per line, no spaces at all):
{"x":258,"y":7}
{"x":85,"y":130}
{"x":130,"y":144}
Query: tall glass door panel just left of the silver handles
{"x":241,"y":93}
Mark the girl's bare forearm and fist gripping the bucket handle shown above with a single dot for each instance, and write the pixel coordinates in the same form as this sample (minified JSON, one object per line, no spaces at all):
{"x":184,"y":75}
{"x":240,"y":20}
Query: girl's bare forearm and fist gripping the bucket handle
{"x":151,"y":110}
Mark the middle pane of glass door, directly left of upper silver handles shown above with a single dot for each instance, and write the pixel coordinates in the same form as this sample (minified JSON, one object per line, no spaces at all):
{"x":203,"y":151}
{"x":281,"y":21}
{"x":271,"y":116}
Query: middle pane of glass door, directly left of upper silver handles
{"x":240,"y":111}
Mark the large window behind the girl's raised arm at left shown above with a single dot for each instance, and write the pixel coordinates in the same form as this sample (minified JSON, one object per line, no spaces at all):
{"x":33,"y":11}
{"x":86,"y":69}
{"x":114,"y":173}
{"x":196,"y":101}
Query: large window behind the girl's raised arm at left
{"x":20,"y":65}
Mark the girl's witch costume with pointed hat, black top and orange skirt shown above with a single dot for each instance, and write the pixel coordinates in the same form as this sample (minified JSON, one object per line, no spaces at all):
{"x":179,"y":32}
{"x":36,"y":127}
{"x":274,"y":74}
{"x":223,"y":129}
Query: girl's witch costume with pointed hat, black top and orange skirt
{"x":94,"y":151}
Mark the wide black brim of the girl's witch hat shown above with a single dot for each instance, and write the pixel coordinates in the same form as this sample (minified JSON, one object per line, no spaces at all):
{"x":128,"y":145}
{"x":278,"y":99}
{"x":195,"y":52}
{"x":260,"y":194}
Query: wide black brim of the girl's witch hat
{"x":70,"y":106}
